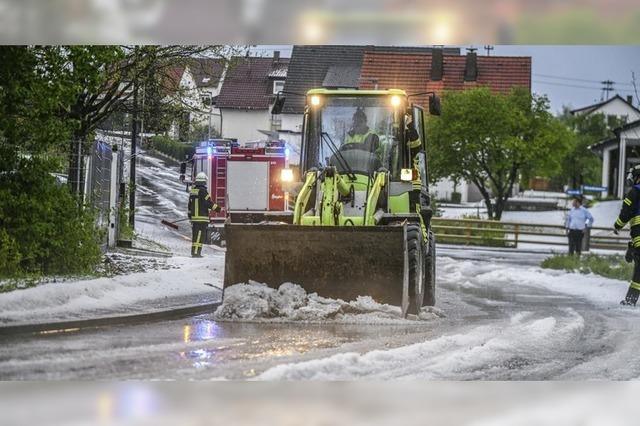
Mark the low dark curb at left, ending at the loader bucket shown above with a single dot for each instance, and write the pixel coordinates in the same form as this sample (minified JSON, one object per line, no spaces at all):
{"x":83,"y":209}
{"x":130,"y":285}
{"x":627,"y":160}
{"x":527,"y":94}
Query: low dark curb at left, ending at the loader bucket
{"x":76,"y":325}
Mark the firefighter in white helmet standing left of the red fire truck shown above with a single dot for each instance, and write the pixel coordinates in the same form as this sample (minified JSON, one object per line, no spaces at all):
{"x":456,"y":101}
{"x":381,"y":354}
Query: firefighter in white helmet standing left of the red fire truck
{"x":199,"y":206}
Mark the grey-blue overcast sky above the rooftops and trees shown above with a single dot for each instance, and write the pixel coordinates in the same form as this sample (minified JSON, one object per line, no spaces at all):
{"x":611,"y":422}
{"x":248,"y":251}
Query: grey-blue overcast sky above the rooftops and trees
{"x":569,"y":75}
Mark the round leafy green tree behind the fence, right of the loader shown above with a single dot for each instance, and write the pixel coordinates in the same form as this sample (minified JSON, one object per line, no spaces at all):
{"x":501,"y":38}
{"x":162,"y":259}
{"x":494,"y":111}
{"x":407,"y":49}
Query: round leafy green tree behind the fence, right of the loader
{"x":490,"y":139}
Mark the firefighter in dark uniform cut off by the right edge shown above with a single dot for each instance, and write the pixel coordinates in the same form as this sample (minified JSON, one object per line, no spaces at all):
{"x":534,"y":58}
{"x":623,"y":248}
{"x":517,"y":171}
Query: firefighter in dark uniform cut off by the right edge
{"x":630,"y":213}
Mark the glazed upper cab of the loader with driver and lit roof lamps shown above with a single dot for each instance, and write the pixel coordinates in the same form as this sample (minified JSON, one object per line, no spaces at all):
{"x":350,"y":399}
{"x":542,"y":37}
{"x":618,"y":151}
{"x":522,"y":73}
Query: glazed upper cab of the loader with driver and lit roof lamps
{"x":360,"y":130}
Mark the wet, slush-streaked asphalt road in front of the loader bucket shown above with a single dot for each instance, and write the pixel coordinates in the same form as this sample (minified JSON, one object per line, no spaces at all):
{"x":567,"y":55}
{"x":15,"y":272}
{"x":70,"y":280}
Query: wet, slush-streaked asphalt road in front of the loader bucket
{"x":495,"y":333}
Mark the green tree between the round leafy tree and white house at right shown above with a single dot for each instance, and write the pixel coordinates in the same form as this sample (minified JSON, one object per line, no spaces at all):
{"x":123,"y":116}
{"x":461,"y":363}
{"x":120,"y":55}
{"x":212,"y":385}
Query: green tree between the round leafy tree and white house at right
{"x":580,"y":165}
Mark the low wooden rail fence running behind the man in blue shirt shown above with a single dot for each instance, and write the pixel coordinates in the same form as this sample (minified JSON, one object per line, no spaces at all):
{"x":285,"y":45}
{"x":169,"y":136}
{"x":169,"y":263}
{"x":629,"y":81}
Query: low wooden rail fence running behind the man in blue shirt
{"x":510,"y":234}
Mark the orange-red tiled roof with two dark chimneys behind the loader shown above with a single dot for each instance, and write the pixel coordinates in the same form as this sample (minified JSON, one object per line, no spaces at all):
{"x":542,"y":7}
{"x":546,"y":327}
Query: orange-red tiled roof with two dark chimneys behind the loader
{"x":412,"y":72}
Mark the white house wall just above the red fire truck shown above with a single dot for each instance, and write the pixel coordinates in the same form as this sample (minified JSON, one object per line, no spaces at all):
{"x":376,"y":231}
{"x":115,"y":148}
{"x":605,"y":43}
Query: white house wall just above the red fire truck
{"x":244,"y":124}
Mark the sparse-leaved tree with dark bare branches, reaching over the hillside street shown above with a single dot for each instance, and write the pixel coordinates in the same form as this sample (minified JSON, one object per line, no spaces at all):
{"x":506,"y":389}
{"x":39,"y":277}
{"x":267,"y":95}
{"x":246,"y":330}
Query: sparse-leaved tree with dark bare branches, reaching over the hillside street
{"x":107,"y":76}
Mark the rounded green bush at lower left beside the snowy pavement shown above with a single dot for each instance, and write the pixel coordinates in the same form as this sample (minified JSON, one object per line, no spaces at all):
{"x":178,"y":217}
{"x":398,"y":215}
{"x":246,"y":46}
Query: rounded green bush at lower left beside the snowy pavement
{"x":42,"y":230}
